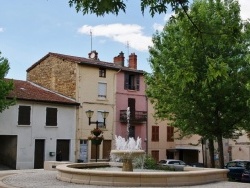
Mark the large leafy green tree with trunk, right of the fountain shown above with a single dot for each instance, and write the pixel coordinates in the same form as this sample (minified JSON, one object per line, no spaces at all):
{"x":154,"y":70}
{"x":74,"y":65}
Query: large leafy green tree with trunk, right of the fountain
{"x":200,"y":75}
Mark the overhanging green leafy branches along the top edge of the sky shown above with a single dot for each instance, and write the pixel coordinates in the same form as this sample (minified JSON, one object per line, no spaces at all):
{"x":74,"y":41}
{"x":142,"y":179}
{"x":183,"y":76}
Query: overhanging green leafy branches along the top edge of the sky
{"x":102,"y":7}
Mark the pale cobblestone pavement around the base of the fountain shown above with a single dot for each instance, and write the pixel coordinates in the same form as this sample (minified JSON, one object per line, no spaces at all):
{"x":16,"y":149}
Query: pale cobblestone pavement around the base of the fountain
{"x":47,"y":179}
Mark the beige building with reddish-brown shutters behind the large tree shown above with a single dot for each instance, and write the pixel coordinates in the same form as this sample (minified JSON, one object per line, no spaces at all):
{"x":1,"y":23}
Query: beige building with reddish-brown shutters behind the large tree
{"x":164,"y":143}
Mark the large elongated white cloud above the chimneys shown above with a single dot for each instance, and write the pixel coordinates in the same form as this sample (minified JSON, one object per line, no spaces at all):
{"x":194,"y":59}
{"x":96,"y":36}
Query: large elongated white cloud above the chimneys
{"x":123,"y":33}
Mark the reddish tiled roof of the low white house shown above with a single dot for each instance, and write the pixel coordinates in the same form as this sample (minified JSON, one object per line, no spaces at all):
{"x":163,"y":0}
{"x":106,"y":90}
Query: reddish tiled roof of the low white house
{"x":24,"y":90}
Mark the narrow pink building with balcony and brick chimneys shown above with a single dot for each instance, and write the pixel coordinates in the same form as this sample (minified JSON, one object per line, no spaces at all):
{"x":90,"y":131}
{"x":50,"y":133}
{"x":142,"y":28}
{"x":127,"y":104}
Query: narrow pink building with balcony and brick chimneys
{"x":130,"y":92}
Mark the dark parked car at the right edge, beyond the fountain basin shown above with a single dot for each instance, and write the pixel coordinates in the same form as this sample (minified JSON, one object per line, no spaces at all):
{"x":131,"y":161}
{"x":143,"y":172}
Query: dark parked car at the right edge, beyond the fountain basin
{"x":236,"y":168}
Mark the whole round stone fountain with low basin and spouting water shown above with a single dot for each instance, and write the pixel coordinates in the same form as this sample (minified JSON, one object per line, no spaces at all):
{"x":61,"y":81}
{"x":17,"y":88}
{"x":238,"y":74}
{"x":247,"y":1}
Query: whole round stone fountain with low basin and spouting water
{"x":91,"y":174}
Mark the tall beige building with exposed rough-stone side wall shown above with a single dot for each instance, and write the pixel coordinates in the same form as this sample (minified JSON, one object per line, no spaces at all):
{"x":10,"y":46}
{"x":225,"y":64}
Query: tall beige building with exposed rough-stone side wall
{"x":91,"y":83}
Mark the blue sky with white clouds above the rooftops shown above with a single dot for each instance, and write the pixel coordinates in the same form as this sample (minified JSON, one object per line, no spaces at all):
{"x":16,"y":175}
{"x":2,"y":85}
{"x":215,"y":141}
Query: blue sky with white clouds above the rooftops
{"x":30,"y":29}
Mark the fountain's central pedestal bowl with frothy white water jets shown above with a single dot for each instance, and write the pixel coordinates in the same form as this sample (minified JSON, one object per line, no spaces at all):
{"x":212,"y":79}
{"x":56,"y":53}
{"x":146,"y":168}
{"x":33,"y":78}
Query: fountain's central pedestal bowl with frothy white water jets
{"x":126,"y":151}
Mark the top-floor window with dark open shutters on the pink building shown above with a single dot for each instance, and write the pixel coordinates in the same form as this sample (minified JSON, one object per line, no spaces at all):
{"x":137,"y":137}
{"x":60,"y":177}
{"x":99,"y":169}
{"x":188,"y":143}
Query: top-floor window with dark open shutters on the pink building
{"x":132,"y":82}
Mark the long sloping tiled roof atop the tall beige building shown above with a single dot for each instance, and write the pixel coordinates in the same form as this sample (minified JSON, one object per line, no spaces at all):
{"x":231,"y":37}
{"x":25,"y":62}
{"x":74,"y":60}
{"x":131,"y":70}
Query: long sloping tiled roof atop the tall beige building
{"x":86,"y":61}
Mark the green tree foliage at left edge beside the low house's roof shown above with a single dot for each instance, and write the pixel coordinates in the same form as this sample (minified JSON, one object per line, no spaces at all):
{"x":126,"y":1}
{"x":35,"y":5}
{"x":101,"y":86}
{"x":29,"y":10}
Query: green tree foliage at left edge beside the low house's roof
{"x":6,"y":86}
